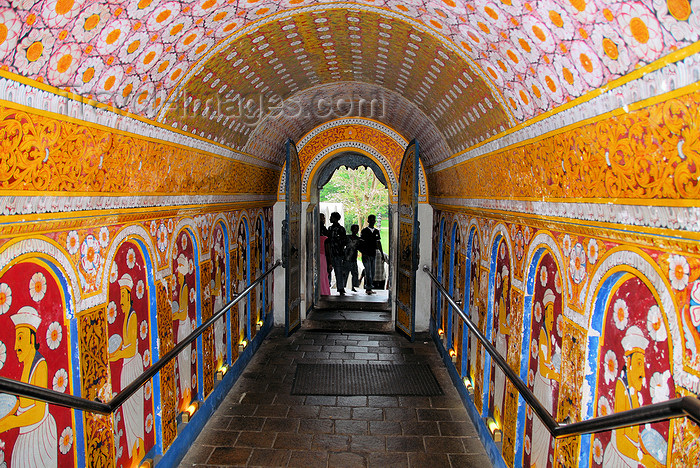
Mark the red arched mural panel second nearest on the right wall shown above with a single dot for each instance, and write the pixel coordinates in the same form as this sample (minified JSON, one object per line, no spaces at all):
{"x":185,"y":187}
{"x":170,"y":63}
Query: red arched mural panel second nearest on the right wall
{"x":546,"y":327}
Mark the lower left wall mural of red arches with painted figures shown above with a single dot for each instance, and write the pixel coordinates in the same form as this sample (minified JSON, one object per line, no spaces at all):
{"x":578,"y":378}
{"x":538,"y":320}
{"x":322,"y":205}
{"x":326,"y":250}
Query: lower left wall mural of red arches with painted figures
{"x":145,"y":267}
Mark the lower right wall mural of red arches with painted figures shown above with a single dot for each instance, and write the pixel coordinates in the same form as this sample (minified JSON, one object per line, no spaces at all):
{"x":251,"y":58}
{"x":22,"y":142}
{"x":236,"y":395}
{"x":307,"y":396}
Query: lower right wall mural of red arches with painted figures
{"x":606,"y":326}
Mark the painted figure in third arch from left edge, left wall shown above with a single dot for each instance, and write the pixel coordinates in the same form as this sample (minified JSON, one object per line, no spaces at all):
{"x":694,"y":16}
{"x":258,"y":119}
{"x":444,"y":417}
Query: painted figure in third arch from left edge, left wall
{"x":184,"y":328}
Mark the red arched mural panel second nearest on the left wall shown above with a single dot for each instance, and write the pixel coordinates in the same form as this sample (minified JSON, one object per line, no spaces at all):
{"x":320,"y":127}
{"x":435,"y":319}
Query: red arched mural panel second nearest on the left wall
{"x":129,"y":330}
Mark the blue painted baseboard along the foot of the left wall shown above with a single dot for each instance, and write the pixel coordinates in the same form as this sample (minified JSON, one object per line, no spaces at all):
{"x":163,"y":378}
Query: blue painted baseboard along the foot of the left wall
{"x":182,"y":443}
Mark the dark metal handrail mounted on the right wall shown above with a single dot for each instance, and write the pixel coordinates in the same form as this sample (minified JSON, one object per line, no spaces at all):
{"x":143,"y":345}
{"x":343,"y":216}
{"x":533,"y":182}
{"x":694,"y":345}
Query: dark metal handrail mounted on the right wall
{"x":679,"y":407}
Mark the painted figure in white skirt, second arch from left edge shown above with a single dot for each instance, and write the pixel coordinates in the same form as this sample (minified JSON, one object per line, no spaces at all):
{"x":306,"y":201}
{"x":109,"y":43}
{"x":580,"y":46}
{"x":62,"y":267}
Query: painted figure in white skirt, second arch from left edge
{"x":132,"y":367}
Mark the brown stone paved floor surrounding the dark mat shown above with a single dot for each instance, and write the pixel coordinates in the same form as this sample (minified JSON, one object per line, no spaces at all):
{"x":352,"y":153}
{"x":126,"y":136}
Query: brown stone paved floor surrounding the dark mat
{"x":261,"y":424}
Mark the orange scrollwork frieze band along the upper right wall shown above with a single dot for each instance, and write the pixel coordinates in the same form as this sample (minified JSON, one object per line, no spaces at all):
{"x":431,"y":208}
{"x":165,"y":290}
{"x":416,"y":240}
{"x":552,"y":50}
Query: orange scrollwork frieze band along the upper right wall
{"x":595,"y":160}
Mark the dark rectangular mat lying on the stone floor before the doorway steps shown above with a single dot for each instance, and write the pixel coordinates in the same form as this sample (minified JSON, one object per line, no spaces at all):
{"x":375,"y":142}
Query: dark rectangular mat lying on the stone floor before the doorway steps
{"x":365,"y":379}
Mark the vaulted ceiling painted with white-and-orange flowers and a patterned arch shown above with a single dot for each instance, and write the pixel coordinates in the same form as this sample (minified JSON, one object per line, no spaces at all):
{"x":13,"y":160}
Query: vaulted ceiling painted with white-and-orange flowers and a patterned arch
{"x":451,"y":73}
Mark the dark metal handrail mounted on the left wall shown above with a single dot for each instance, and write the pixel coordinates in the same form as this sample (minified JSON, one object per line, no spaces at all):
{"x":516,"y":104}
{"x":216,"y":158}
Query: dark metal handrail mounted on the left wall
{"x":61,"y":399}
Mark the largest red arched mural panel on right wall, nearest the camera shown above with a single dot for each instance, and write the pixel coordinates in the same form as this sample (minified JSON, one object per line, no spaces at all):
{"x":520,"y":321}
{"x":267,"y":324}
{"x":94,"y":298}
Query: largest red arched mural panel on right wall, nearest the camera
{"x":634,"y":371}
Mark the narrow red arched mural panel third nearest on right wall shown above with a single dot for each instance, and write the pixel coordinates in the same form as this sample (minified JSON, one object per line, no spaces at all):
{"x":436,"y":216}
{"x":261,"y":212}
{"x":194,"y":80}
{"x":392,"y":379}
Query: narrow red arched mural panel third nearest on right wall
{"x":500,"y":334}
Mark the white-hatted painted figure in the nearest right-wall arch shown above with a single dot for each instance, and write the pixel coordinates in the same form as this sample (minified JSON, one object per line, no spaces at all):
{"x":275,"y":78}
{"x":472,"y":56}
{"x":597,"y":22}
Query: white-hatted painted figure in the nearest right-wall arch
{"x":626,"y":448}
